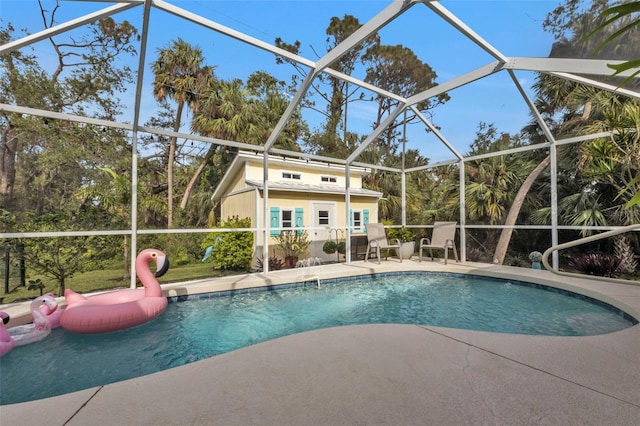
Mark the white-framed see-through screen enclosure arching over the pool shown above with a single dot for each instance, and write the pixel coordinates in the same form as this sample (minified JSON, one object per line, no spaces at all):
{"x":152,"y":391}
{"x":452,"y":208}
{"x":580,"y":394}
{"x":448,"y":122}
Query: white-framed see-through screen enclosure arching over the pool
{"x":120,"y":120}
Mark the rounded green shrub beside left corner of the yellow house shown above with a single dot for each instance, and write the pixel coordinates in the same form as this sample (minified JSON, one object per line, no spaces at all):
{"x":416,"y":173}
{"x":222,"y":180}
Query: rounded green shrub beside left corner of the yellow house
{"x":232,"y":250}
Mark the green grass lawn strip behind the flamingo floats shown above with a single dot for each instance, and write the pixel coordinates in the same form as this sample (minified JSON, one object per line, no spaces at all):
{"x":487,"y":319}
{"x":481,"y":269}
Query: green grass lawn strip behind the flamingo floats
{"x":107,"y":279}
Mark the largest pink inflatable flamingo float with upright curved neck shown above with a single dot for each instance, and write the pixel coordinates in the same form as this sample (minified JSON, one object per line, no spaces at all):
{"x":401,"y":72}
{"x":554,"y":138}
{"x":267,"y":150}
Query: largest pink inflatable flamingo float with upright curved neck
{"x":119,"y":309}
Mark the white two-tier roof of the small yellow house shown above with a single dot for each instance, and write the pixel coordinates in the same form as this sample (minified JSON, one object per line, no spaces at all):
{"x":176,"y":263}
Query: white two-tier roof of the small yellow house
{"x":245,"y":157}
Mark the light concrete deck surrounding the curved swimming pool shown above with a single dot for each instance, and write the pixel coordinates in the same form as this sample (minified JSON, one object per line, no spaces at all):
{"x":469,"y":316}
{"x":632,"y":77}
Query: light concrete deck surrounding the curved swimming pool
{"x":380,"y":374}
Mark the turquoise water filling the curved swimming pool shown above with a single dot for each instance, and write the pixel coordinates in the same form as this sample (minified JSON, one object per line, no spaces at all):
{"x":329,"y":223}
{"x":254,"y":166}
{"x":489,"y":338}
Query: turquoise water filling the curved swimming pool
{"x":207,"y":326}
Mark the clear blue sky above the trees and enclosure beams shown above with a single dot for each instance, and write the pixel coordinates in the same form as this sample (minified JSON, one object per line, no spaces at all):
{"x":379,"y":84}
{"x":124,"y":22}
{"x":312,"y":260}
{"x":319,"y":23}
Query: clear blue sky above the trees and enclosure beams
{"x":514,"y":27}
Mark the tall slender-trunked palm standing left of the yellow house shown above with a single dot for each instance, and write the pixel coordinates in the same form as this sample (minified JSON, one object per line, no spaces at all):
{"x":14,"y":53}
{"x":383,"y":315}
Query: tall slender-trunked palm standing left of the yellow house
{"x":179,"y":75}
